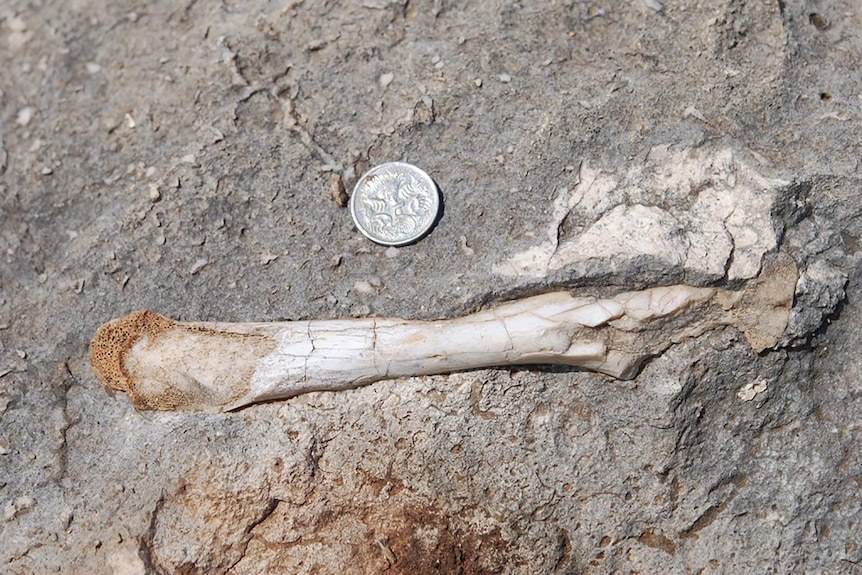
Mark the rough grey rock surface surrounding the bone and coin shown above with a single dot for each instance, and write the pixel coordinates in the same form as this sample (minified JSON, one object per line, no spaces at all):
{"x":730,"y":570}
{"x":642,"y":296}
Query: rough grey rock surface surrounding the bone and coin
{"x":180,"y":157}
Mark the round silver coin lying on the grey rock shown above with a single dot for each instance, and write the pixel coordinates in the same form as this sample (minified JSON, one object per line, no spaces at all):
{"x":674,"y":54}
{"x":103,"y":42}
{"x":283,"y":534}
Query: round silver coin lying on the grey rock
{"x":394,"y":204}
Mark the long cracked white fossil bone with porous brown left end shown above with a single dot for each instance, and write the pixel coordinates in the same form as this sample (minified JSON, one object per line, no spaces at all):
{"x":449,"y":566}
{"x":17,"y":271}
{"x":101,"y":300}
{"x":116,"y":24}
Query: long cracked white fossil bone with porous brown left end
{"x":168,"y":365}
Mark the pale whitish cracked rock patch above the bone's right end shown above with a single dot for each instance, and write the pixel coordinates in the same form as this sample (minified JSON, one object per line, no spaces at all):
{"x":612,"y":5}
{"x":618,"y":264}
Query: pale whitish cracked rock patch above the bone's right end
{"x":699,"y":212}
